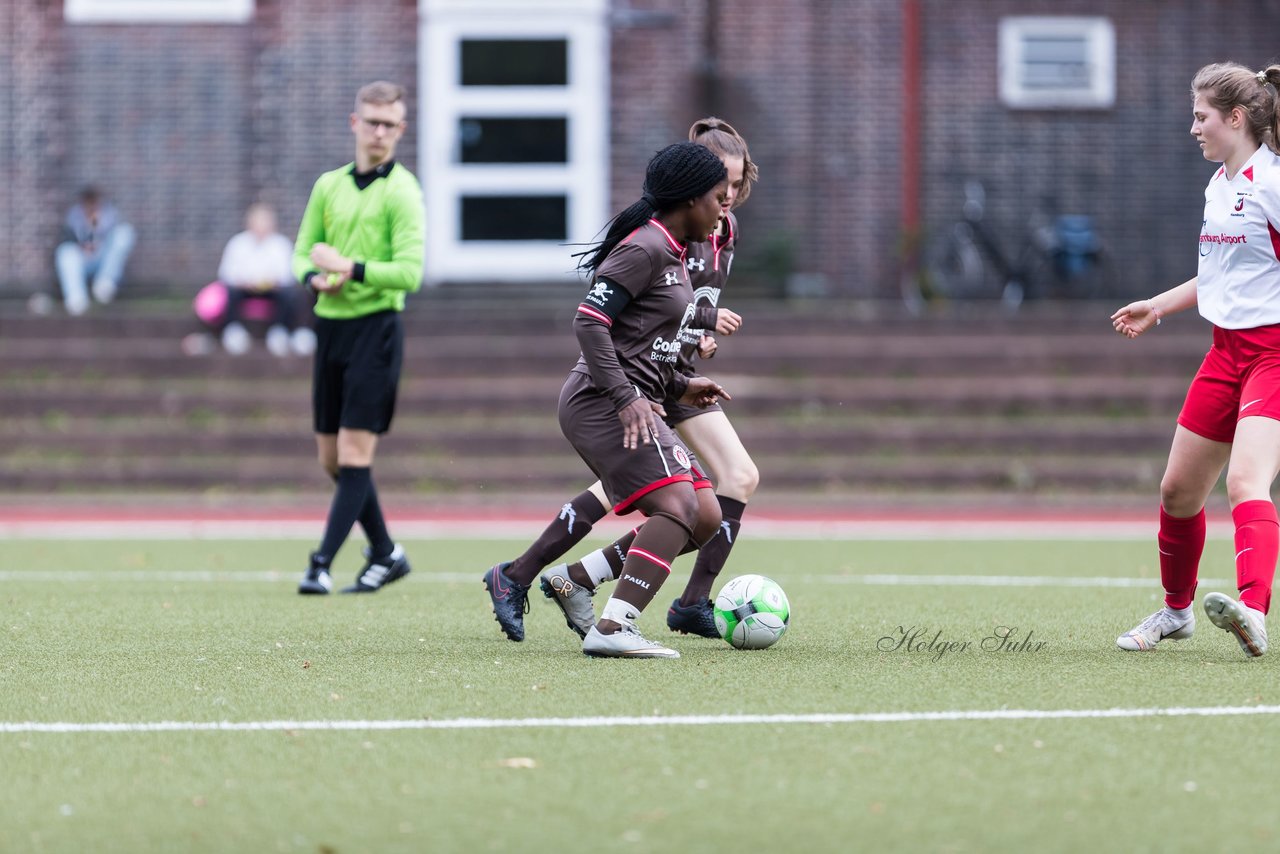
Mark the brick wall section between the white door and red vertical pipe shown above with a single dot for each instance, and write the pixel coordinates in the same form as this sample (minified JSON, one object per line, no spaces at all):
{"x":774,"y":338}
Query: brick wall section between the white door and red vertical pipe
{"x":806,"y":85}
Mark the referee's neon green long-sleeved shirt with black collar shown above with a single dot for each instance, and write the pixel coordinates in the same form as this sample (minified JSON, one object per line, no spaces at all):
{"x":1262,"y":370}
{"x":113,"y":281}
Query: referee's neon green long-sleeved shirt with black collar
{"x":382,"y":227}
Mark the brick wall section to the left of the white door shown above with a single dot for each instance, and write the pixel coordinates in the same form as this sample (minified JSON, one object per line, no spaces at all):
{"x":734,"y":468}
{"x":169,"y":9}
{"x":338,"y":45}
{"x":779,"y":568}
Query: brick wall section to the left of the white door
{"x":185,"y":125}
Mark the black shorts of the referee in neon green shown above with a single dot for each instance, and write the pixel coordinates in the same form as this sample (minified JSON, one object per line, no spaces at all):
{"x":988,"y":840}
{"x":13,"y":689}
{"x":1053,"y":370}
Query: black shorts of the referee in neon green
{"x":356,"y":372}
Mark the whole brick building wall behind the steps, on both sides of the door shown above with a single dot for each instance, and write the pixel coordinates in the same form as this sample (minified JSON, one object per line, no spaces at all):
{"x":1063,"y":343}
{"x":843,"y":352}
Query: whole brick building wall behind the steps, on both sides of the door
{"x":186,"y":125}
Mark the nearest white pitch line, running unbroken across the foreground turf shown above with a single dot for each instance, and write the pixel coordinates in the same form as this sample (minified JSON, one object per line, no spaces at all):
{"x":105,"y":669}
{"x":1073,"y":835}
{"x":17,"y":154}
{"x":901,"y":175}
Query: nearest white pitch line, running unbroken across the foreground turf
{"x":597,"y":723}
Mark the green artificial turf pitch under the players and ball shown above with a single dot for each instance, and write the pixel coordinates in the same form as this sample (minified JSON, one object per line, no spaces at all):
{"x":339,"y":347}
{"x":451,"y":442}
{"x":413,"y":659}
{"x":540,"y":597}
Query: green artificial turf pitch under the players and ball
{"x":200,"y":632}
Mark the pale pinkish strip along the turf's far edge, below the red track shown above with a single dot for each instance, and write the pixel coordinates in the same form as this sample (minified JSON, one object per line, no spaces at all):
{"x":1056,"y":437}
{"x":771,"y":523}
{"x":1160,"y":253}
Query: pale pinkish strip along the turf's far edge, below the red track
{"x":525,"y":529}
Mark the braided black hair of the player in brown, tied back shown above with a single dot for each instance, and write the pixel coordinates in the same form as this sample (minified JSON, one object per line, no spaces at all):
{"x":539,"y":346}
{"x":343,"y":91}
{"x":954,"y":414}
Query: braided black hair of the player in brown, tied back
{"x":675,"y":175}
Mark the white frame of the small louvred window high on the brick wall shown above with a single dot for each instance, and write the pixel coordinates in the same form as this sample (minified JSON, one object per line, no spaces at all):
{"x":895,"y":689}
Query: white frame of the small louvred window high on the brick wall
{"x":1099,"y":35}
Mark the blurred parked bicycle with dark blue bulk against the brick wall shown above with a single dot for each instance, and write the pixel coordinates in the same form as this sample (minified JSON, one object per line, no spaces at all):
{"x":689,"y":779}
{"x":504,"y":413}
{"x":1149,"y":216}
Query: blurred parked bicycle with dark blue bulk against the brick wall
{"x":971,"y":263}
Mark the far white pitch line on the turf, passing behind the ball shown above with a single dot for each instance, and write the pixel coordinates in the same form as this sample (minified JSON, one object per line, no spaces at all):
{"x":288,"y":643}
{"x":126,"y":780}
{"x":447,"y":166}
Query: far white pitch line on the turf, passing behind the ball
{"x":880,"y":579}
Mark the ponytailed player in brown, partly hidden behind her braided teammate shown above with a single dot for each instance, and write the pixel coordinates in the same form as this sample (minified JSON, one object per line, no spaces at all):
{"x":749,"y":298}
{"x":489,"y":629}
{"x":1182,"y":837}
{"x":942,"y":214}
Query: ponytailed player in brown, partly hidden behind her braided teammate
{"x":714,"y":440}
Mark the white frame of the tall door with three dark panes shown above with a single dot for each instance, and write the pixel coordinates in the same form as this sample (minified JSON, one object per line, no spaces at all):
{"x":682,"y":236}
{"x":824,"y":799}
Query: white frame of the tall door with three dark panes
{"x":583,"y":180}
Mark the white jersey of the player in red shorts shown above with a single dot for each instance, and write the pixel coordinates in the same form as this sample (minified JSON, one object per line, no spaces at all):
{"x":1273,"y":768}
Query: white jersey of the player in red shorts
{"x":1240,"y":246}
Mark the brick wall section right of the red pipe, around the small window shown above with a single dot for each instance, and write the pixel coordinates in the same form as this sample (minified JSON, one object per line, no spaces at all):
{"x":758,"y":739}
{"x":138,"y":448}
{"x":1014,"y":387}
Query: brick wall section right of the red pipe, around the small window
{"x":1135,"y":168}
